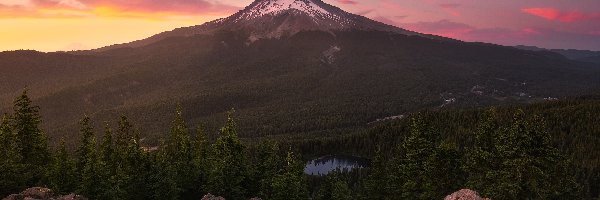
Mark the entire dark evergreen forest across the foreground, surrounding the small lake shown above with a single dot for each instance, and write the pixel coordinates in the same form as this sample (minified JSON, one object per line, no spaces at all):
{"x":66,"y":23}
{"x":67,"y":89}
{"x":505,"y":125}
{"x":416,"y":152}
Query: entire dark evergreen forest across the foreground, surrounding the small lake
{"x":542,"y":151}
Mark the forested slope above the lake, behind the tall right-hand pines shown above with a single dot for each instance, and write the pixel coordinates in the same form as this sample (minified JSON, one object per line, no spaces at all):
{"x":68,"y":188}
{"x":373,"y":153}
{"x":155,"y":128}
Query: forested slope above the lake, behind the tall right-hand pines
{"x":573,"y":126}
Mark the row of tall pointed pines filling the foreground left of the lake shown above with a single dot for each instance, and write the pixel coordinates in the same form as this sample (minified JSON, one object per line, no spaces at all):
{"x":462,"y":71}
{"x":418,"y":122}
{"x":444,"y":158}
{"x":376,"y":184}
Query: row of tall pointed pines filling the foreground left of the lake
{"x":185,"y":166}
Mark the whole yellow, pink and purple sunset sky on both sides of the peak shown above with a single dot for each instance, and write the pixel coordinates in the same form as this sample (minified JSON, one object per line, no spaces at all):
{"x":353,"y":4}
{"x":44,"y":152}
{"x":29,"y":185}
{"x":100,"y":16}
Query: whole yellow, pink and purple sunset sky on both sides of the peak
{"x":54,"y":25}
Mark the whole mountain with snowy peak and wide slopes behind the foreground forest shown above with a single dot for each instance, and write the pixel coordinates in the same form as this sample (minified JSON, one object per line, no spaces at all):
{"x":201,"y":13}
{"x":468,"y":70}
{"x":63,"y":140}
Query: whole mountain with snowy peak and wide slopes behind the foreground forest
{"x":302,"y":69}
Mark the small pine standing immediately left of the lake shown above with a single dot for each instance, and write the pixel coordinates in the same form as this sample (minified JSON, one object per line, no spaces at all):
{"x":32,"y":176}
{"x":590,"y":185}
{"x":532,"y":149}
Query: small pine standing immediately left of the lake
{"x":291,"y":185}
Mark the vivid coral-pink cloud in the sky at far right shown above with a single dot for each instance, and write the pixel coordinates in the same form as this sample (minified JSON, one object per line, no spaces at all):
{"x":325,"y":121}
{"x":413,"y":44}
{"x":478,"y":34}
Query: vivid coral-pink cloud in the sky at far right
{"x":562,"y":16}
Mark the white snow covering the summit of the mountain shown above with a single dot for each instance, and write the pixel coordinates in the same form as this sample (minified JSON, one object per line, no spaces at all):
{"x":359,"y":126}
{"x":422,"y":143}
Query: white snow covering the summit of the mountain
{"x":273,"y":7}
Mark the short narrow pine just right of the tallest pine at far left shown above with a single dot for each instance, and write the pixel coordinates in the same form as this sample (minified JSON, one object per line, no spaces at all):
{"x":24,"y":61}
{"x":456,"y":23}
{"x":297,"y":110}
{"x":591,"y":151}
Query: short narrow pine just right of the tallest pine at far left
{"x":62,"y":174}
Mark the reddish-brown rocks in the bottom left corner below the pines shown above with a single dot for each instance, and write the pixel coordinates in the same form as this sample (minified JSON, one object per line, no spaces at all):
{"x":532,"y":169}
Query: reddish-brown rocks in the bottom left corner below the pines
{"x":40,"y":193}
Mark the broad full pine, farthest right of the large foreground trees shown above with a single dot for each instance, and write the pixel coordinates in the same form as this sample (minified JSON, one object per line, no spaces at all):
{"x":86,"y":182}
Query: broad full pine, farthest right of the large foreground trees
{"x":530,"y":167}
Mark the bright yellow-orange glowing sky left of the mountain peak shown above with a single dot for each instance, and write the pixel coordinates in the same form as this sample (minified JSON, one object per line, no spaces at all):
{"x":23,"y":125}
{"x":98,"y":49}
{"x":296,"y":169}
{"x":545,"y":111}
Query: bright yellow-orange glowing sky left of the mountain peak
{"x":63,"y":29}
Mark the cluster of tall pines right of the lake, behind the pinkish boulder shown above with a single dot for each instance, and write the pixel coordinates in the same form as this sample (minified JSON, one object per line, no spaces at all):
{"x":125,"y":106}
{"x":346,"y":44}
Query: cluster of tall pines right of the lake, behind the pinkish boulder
{"x":511,"y":161}
